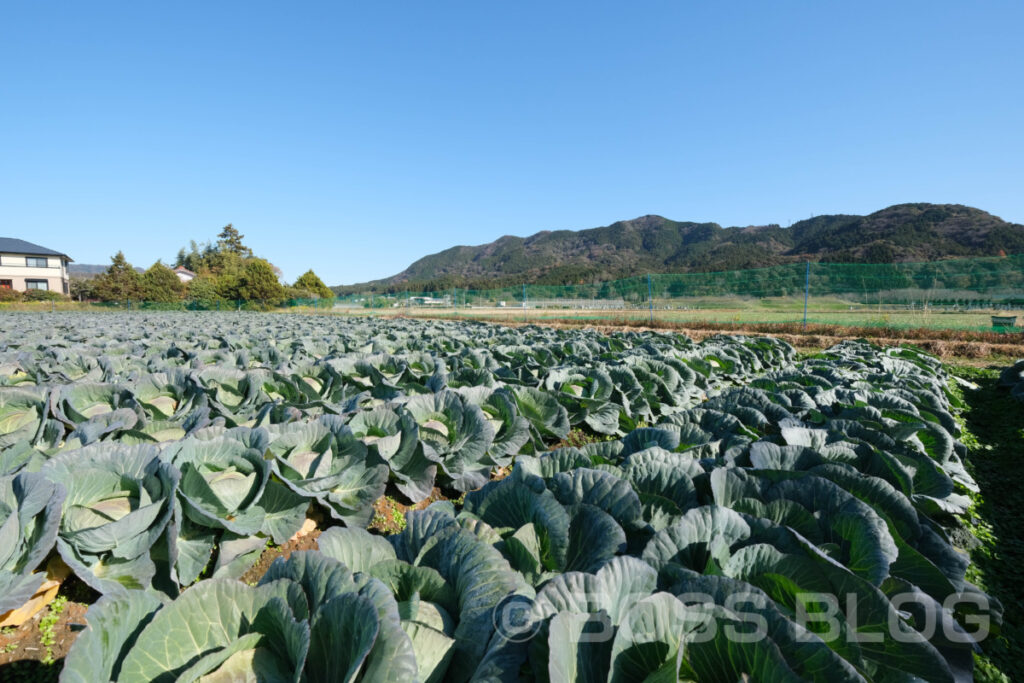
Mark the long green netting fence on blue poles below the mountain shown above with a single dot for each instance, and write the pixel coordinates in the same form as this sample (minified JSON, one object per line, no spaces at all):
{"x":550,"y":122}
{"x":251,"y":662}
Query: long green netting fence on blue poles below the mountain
{"x":983,"y":294}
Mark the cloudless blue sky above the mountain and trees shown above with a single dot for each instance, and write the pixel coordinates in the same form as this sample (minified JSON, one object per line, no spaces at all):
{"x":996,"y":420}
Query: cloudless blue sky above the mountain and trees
{"x":354,"y":138}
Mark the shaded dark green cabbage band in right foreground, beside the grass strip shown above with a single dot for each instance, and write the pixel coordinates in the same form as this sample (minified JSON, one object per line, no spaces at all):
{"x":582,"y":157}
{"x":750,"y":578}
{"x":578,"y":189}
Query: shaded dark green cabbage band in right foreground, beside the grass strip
{"x":647,"y":558}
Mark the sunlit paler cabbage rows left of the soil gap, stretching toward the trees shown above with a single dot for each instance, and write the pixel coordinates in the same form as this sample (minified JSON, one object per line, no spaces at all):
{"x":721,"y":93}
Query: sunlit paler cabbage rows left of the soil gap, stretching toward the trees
{"x":155,"y":480}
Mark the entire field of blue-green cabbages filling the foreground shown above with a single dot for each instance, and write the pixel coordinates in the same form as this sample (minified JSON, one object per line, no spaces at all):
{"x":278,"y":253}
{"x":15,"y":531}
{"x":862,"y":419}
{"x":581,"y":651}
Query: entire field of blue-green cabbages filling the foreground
{"x":610,"y":507}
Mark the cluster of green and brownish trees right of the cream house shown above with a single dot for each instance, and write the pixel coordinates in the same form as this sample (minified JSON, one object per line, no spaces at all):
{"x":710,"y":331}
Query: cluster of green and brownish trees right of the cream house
{"x":225,"y":271}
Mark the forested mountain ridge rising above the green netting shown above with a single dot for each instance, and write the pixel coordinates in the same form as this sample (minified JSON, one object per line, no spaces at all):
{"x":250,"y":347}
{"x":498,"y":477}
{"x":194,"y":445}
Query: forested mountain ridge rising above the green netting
{"x":654,"y":244}
